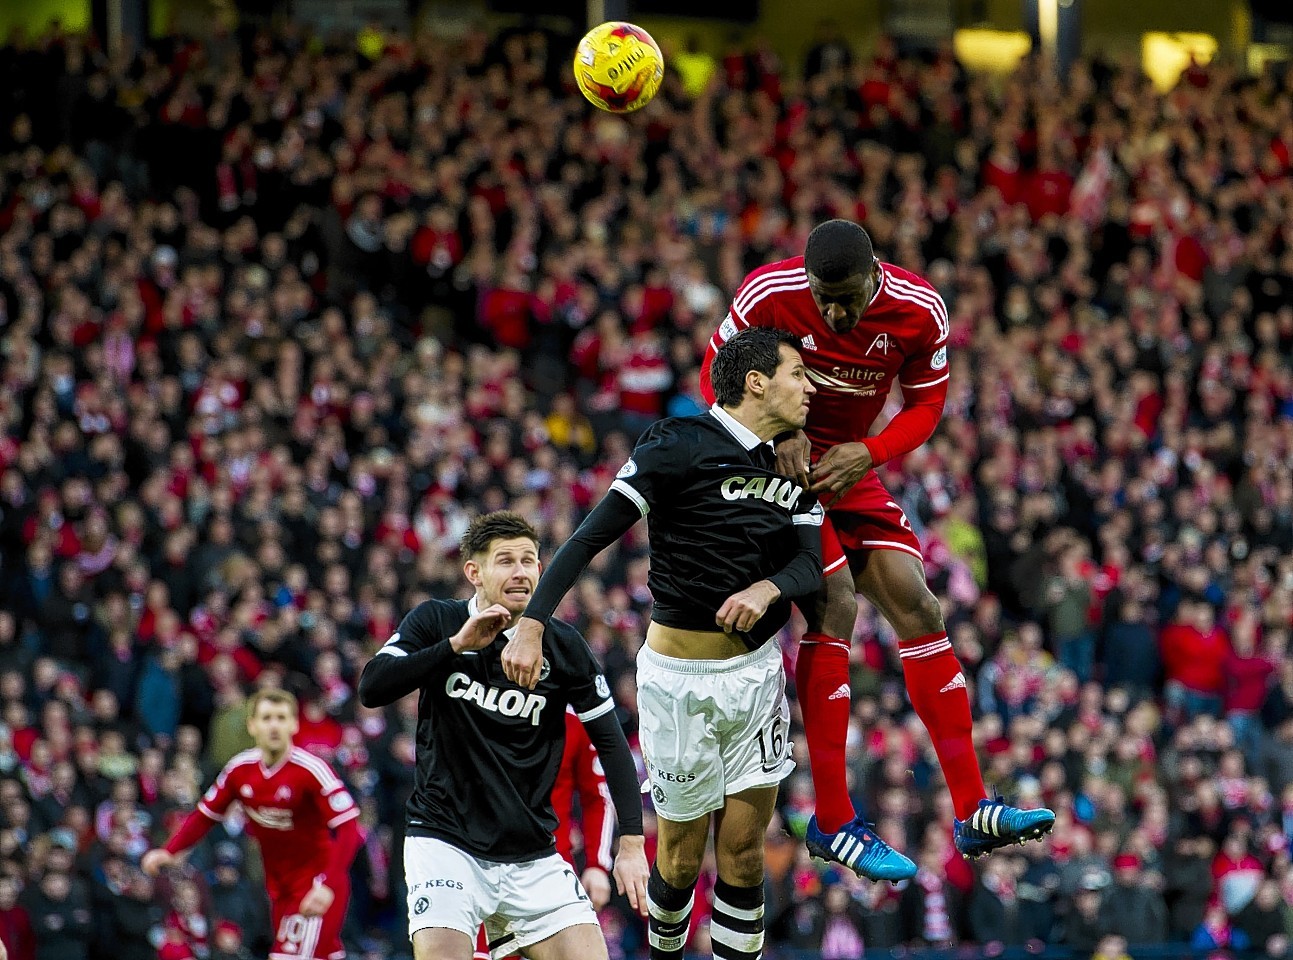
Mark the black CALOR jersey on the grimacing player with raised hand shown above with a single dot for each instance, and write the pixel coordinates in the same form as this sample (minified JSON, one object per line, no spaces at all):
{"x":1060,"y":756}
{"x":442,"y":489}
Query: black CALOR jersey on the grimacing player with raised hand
{"x":489,"y":750}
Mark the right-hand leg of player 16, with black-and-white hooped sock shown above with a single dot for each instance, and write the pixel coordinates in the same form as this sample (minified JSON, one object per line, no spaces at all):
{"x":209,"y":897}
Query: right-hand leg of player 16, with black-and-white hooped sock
{"x":740,"y":829}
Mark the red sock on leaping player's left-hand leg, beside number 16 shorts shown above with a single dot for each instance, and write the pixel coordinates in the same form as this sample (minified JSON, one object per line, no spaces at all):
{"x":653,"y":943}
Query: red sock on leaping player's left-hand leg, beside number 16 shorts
{"x":822,"y":682}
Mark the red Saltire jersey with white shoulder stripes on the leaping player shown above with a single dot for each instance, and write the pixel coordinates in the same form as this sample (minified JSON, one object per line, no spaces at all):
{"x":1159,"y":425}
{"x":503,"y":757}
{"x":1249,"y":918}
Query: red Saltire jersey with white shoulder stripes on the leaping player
{"x":902,"y":340}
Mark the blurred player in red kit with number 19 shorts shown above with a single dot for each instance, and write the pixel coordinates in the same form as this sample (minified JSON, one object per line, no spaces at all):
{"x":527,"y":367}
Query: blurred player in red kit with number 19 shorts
{"x":305,"y":820}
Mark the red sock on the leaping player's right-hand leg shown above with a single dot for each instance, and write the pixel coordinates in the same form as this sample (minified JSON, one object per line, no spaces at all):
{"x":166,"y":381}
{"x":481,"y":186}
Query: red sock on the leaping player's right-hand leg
{"x":938,"y":689}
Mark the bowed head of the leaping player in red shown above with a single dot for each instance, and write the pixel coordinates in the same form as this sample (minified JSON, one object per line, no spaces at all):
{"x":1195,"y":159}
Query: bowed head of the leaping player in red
{"x":842,"y":272}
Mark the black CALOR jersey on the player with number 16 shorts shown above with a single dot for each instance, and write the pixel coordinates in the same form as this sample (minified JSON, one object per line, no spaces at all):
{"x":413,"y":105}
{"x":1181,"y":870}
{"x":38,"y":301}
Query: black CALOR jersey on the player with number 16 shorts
{"x":720,"y":518}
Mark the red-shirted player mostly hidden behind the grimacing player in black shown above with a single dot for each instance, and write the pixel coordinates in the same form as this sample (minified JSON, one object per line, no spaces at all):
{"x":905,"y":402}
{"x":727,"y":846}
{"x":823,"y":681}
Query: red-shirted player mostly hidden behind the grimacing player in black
{"x":580,"y":773}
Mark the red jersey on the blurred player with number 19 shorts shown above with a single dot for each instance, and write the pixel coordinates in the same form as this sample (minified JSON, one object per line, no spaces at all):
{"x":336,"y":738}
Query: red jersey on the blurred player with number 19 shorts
{"x":292,"y":812}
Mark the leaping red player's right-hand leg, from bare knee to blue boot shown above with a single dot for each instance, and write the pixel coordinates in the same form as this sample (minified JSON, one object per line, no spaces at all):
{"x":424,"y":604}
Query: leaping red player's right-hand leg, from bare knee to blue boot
{"x":894,"y":582}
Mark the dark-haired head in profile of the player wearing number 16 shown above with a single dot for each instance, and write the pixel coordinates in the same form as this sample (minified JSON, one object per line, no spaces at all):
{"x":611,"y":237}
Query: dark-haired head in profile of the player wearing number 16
{"x":764,"y":365}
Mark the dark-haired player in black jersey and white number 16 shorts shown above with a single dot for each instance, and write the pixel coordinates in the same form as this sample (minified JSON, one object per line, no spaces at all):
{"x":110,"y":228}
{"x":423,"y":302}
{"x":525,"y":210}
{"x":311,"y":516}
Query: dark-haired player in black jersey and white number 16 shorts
{"x":732,"y":544}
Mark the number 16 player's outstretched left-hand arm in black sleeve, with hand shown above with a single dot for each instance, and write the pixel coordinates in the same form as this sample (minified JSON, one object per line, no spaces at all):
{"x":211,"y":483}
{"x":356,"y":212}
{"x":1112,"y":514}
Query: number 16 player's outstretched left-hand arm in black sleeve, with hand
{"x":610,"y":521}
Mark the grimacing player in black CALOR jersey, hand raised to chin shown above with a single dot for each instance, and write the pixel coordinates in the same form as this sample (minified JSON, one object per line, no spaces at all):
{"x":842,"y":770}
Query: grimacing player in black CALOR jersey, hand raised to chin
{"x":488,"y":754}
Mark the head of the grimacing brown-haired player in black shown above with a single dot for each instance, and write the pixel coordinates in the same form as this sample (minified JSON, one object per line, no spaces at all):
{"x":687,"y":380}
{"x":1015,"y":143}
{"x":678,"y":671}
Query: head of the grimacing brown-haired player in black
{"x":501,"y":560}
